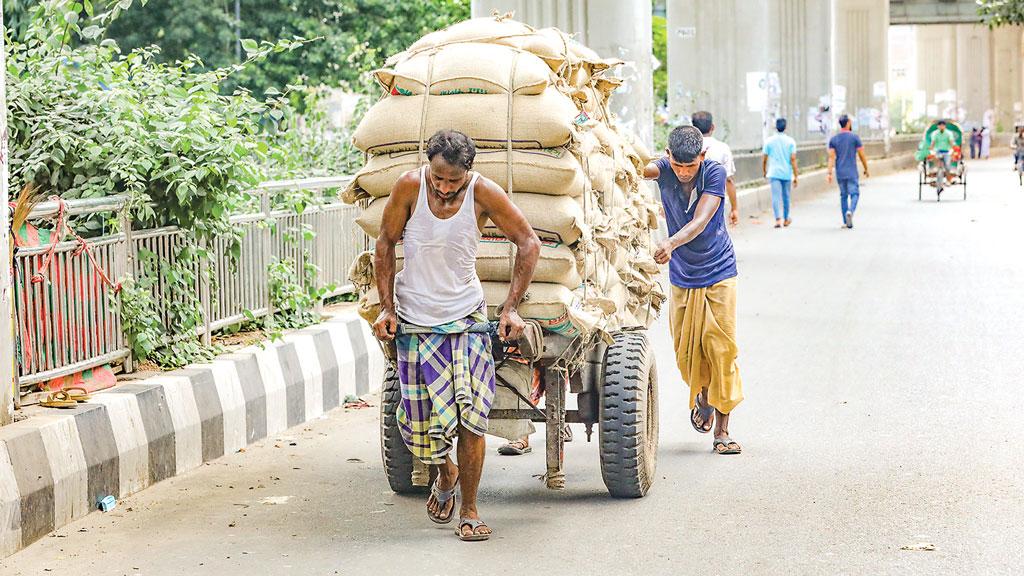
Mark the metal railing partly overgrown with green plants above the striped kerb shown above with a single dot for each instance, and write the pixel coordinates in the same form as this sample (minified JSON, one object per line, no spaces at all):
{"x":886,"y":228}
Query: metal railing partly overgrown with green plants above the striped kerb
{"x":69,"y":321}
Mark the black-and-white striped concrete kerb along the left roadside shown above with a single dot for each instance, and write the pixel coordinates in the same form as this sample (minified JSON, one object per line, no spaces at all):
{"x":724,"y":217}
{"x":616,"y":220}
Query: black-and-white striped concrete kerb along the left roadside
{"x":56,"y":466}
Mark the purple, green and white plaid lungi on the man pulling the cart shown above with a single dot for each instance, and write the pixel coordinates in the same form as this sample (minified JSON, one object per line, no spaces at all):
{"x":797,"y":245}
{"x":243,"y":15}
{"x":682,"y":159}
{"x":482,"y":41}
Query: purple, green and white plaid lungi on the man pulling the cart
{"x":448,"y":379}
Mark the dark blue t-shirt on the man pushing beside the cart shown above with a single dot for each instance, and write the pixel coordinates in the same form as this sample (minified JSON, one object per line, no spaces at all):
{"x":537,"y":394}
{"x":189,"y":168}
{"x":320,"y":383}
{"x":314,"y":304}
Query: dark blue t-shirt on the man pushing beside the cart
{"x":709,"y":259}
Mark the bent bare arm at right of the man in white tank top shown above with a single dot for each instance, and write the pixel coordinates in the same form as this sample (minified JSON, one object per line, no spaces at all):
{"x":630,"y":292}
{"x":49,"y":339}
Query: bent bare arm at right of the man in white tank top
{"x":514,"y":225}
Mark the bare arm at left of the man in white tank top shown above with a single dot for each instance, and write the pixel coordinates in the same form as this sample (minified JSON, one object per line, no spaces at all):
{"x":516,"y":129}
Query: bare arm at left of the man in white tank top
{"x":397,"y":215}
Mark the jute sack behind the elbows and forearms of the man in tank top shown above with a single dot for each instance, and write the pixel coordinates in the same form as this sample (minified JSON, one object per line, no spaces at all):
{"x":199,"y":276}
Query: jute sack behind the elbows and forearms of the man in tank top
{"x":557,"y":264}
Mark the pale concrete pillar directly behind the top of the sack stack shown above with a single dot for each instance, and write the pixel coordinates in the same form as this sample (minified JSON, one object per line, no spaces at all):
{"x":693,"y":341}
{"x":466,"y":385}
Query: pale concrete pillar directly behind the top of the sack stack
{"x":613,"y":28}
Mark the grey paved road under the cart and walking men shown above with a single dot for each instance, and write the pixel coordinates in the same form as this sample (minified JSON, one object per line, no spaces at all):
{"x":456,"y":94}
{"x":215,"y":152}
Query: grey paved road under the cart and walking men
{"x":883,"y":371}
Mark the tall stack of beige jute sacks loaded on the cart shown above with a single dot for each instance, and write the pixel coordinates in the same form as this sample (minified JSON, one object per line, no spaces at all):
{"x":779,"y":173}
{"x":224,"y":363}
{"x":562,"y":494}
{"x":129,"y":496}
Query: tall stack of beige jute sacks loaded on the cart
{"x":536,"y":104}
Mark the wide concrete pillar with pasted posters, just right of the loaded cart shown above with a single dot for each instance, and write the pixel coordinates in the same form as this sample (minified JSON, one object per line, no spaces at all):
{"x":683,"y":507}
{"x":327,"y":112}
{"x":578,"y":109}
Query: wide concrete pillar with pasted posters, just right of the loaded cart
{"x":750,"y":62}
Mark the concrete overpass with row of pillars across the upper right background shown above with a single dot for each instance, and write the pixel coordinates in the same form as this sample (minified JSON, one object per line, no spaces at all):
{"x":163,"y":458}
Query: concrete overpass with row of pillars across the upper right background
{"x":750,"y":62}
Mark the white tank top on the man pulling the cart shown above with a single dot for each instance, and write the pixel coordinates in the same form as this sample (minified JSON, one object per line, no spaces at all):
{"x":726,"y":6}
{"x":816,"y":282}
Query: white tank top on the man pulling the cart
{"x":439,"y":283}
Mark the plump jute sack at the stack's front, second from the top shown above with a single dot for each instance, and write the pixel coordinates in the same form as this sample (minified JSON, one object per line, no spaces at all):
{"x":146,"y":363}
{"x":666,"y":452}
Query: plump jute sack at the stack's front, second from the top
{"x":467,"y":69}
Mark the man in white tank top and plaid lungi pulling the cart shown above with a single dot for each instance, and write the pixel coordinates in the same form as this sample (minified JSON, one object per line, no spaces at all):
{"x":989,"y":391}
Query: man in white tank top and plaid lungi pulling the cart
{"x":436,"y":213}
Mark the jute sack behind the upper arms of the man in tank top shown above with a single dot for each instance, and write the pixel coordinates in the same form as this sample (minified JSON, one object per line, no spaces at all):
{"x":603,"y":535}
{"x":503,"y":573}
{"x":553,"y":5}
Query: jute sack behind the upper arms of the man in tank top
{"x":557,"y":219}
